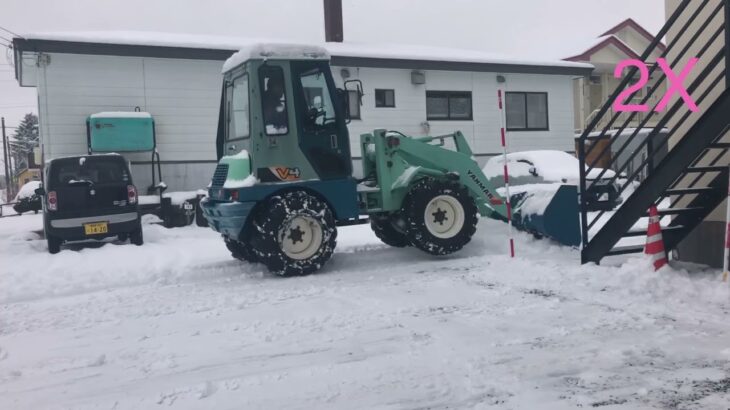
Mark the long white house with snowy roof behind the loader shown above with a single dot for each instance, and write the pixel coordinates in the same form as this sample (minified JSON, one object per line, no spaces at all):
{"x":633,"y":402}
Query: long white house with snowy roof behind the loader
{"x":177,"y":78}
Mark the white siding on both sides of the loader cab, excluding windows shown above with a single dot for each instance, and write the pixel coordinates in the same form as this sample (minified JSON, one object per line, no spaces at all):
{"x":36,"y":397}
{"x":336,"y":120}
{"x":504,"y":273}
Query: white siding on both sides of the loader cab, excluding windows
{"x":184,"y":96}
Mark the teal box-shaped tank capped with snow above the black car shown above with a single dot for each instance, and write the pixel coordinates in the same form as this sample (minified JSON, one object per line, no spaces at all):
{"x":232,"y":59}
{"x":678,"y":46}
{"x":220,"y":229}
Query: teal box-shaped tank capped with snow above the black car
{"x":121,"y":132}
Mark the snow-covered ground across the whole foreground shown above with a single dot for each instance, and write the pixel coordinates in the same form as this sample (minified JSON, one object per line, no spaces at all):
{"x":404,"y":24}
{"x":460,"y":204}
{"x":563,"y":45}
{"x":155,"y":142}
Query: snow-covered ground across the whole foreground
{"x":177,"y":323}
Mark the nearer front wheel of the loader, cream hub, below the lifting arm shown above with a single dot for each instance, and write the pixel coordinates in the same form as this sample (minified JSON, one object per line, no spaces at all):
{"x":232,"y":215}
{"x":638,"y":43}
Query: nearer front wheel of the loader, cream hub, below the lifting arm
{"x":451,"y":228}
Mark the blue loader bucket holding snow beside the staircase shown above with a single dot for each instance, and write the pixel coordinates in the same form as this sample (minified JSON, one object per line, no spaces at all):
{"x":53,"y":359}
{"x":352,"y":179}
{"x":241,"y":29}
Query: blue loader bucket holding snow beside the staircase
{"x":551,"y":212}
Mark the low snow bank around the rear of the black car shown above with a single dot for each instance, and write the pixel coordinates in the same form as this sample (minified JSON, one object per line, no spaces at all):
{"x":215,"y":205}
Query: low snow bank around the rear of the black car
{"x":167,"y":256}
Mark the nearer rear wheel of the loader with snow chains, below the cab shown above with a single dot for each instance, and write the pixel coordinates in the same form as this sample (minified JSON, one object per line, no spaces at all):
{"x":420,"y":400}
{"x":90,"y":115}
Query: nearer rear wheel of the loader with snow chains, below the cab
{"x":313,"y":224}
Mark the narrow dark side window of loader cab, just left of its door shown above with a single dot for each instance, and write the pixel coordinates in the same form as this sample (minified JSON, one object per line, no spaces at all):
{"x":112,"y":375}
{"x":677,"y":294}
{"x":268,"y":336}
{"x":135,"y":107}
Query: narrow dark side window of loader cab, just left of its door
{"x":273,"y":94}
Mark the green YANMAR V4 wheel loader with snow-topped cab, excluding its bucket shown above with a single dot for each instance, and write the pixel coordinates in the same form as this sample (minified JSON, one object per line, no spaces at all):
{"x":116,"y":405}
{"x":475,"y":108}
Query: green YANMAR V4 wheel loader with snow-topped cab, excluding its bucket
{"x":284,"y":181}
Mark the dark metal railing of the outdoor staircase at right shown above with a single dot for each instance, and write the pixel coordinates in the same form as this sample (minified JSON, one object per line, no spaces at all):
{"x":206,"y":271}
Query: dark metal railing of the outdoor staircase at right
{"x":652,"y":144}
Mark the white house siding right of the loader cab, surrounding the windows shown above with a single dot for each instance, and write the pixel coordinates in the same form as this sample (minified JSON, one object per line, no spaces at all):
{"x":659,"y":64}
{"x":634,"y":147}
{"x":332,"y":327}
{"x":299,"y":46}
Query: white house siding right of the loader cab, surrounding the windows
{"x":482,"y":132}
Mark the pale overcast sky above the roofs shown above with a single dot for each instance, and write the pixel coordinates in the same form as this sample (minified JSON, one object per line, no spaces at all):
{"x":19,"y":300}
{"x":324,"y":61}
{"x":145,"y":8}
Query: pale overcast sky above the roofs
{"x":535,"y":29}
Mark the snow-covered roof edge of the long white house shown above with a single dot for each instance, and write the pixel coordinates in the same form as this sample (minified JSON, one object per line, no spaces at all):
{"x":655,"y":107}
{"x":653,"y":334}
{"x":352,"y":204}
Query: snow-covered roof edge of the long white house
{"x":205,"y":47}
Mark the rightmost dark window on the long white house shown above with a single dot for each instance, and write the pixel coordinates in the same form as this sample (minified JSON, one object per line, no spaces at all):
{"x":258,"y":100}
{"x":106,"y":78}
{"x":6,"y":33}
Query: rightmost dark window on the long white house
{"x":526,"y":111}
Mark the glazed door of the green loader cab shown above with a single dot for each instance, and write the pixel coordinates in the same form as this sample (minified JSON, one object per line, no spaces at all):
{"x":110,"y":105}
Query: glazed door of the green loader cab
{"x":323,"y":136}
